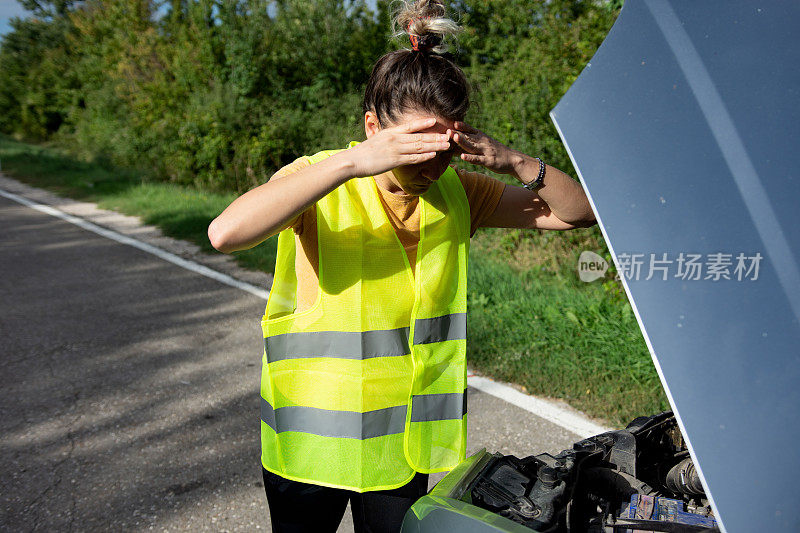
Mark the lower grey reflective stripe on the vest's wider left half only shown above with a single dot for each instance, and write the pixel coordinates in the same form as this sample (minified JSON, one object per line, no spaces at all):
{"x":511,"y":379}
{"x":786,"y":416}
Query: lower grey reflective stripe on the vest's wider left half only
{"x":341,"y":424}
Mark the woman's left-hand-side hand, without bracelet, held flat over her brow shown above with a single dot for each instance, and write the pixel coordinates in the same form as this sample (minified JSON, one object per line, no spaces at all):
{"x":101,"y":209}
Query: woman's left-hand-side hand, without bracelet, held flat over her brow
{"x":396,"y":146}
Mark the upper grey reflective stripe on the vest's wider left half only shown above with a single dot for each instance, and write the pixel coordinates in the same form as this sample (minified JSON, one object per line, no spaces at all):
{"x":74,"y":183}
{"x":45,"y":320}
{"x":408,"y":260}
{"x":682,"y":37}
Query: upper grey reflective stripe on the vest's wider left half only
{"x":339,"y":344}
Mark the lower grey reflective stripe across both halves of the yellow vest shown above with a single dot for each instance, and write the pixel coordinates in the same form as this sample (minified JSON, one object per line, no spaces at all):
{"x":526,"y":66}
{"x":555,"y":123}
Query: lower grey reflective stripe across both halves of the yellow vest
{"x":354,"y":425}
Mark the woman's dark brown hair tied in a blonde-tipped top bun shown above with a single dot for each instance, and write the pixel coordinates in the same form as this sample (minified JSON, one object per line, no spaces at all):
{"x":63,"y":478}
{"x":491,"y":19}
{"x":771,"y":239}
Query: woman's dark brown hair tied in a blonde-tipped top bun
{"x":425,"y":79}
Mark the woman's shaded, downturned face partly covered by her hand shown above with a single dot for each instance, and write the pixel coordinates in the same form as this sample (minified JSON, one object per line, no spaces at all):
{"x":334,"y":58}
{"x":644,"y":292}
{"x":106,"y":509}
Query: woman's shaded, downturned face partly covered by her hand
{"x":416,"y":179}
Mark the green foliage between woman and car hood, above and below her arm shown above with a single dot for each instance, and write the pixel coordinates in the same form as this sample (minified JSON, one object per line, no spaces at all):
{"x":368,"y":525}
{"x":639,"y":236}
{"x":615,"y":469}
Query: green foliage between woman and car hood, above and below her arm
{"x":522,"y":56}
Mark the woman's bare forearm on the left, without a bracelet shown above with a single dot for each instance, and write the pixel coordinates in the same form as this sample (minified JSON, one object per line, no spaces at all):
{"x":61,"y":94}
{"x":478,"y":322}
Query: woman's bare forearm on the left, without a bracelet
{"x":264,"y":211}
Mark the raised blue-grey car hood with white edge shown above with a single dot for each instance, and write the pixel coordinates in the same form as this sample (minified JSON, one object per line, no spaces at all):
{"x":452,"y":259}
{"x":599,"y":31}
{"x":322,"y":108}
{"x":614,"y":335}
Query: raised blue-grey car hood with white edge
{"x":685,"y":131}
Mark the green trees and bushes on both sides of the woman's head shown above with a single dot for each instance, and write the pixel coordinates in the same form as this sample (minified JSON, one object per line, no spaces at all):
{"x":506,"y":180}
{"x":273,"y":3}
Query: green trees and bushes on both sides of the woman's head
{"x":221,"y":93}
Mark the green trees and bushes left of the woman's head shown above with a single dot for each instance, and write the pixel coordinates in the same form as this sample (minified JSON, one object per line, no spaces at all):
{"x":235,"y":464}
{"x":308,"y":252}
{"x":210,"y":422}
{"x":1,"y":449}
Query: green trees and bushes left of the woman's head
{"x":215,"y":93}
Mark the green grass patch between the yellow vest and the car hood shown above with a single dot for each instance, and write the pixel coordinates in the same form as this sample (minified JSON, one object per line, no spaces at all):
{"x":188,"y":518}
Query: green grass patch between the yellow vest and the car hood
{"x":562,"y":340}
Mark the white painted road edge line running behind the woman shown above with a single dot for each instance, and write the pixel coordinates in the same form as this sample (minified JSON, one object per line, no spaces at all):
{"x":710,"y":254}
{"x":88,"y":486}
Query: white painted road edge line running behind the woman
{"x":559,"y":416}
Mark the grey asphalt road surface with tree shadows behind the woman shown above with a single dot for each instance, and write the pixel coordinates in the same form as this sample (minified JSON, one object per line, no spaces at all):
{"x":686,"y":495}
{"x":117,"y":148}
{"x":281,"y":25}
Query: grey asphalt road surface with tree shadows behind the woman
{"x":129,"y":394}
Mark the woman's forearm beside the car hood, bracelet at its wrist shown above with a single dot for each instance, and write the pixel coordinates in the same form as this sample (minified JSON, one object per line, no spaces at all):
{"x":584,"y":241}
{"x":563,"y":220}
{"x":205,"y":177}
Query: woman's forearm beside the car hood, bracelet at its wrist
{"x":564,"y":196}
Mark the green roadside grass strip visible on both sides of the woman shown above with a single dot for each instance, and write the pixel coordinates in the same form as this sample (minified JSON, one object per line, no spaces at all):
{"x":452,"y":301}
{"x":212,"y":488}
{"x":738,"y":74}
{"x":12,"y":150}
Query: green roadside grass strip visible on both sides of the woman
{"x":531,"y":321}
